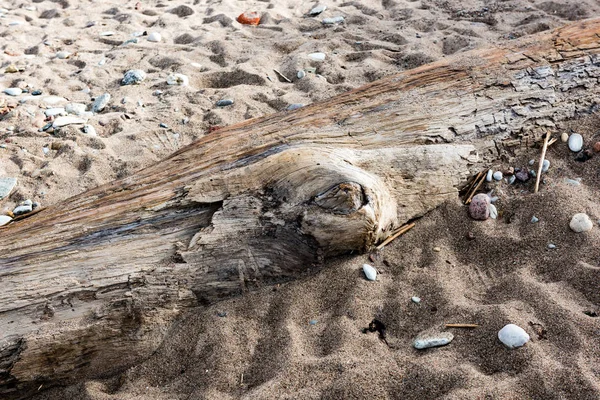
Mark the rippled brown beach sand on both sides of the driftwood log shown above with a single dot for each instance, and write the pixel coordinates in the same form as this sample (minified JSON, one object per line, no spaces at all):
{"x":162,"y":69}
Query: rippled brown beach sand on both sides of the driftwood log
{"x":265,"y":347}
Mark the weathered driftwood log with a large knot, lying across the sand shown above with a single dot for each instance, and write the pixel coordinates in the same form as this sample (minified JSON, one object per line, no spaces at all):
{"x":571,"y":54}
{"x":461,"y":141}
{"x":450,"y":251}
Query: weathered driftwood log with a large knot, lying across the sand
{"x":90,"y":285}
